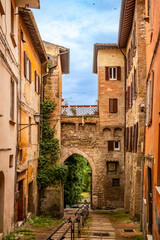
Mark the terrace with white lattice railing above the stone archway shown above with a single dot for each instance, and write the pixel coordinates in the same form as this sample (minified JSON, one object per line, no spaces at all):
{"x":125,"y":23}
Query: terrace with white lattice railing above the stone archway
{"x":80,"y":110}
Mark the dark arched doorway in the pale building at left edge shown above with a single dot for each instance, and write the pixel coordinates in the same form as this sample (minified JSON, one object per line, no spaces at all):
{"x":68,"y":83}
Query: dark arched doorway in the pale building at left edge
{"x":1,"y":201}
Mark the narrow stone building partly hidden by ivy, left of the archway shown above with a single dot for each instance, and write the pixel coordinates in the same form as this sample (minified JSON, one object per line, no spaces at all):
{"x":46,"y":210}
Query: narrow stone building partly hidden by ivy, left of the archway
{"x":58,"y":64}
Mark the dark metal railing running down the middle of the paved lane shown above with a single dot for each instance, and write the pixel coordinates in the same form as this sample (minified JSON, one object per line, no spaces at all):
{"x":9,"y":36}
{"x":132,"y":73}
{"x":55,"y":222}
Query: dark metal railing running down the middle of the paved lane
{"x":80,"y":217}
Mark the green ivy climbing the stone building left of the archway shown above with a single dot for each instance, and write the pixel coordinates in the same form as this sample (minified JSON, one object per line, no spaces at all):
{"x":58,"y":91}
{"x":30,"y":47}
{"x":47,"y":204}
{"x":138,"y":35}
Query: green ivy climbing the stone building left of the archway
{"x":48,"y":170}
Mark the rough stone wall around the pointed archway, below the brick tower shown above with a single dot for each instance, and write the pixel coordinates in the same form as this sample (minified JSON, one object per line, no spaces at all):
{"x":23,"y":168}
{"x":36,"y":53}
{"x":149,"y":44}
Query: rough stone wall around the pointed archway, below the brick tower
{"x":92,"y":144}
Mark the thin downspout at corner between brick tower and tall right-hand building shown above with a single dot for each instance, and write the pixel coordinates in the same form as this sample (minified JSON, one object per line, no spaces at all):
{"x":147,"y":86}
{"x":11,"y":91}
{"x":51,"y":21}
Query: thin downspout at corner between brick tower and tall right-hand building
{"x":124,"y":105}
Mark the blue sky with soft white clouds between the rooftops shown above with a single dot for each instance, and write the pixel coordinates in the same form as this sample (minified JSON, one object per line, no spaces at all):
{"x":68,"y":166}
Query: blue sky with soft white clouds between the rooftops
{"x":77,"y":25}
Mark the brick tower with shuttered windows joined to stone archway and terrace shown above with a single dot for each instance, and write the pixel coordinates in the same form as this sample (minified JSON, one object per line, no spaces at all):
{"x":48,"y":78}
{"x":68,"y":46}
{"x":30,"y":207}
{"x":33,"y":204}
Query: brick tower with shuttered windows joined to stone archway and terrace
{"x":99,"y":136}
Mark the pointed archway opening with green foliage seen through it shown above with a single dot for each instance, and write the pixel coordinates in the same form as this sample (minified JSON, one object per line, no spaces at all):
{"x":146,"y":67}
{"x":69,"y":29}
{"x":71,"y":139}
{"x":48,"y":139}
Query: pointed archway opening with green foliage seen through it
{"x":78,"y":186}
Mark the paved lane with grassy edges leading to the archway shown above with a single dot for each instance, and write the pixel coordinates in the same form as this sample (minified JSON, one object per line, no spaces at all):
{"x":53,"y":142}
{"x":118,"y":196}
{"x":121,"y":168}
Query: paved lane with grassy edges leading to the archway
{"x":100,"y":224}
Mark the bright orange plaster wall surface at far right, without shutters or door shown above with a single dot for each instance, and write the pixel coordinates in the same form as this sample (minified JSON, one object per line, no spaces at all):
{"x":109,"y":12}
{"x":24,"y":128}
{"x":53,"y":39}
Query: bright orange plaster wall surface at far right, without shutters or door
{"x":152,"y":132}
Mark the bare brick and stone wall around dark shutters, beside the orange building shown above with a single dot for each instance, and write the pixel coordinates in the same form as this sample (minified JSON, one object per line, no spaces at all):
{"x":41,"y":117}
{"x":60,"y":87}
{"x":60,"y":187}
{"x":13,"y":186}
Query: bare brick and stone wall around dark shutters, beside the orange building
{"x":136,"y":114}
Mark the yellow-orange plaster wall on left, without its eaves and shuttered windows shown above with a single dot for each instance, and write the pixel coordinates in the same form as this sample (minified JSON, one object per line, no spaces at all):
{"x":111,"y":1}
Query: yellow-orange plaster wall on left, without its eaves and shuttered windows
{"x":30,"y":104}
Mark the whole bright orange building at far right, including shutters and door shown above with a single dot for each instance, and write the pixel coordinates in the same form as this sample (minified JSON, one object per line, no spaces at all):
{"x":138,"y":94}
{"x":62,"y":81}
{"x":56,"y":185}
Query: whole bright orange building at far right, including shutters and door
{"x":151,"y":184}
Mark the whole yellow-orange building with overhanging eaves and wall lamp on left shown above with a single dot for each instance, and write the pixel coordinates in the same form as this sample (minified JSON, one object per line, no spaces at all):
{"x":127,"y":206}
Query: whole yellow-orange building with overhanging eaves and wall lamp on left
{"x":32,"y":58}
